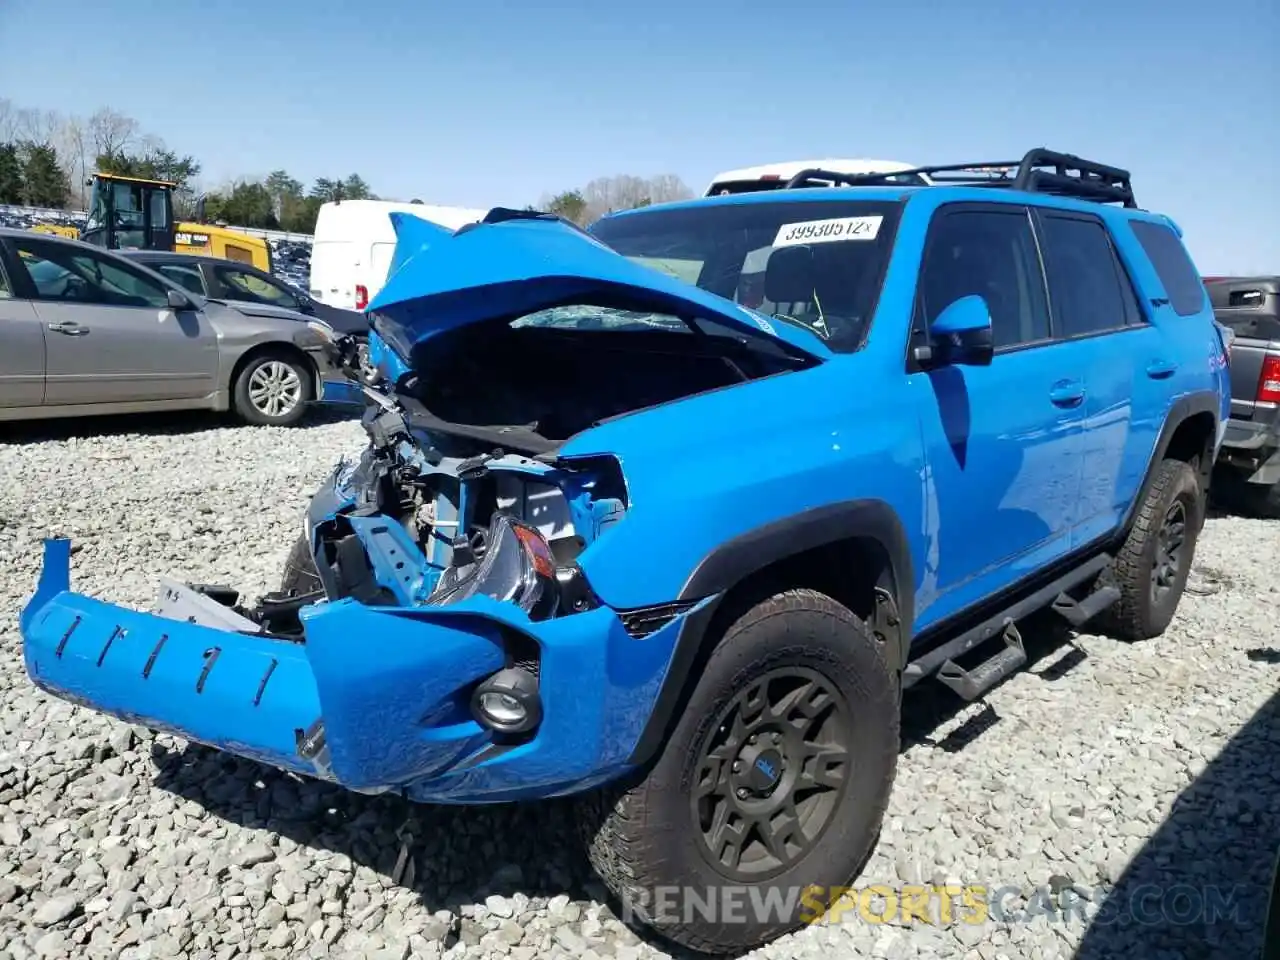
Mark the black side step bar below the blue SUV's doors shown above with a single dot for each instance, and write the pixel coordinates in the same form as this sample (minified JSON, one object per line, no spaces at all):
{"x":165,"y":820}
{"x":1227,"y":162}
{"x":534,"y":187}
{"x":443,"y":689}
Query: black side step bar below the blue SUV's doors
{"x":1002,"y":625}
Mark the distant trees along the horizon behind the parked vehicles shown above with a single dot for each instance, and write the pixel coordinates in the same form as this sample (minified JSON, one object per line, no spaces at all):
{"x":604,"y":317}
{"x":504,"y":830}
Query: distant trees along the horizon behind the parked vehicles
{"x":47,"y":159}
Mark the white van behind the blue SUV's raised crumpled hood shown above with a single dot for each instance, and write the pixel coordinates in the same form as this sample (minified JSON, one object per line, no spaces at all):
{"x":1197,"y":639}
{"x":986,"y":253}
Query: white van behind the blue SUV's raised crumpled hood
{"x":355,"y":243}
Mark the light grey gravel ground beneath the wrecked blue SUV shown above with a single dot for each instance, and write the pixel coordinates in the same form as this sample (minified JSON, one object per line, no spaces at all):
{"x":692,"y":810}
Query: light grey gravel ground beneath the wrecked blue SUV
{"x":1105,"y":767}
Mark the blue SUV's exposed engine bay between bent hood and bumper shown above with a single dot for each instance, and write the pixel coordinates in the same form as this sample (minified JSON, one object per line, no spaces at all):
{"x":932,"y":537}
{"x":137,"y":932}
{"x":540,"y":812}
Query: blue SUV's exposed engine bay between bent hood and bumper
{"x":460,"y":491}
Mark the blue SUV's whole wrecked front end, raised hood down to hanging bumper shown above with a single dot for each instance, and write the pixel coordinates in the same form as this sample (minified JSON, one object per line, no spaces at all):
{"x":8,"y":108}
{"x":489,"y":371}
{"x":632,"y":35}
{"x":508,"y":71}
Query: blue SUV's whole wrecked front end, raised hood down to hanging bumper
{"x":450,"y":646}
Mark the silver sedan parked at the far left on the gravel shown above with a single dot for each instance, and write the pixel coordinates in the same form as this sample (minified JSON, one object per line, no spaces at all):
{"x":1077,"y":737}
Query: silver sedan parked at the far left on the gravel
{"x":84,"y":331}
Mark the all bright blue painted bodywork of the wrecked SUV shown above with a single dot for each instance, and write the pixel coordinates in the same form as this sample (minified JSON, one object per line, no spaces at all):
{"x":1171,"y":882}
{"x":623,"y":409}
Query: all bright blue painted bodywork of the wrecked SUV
{"x":993,"y":473}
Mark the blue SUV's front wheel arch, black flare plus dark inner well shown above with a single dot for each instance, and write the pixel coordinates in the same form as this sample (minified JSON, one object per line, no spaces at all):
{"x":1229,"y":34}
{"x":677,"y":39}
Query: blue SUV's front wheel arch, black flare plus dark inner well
{"x":854,"y":551}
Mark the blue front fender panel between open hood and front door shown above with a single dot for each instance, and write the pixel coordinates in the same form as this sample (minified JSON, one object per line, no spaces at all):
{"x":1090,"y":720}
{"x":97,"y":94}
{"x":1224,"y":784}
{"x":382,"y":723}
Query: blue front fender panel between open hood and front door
{"x":725,"y":467}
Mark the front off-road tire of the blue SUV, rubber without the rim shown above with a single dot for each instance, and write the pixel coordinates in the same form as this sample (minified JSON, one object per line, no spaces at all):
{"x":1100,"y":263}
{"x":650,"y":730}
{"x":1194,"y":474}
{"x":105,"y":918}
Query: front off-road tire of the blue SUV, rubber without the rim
{"x":643,"y":838}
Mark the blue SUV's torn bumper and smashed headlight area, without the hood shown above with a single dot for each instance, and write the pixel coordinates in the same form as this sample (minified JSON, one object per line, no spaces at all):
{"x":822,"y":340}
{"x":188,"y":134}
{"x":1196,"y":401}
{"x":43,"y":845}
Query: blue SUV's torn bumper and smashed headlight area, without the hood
{"x":455,"y":651}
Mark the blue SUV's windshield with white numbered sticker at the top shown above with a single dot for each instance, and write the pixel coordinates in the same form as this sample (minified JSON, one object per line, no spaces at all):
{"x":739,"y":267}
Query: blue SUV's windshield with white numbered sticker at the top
{"x":815,"y":264}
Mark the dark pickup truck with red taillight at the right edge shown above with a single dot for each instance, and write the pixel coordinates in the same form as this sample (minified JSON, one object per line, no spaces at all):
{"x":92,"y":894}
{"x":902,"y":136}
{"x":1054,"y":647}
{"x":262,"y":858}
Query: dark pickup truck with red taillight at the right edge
{"x":1249,"y":467}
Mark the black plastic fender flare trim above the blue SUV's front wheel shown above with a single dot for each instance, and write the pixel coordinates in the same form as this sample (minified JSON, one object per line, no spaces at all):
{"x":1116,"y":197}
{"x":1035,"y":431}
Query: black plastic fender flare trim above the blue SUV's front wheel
{"x":748,"y":554}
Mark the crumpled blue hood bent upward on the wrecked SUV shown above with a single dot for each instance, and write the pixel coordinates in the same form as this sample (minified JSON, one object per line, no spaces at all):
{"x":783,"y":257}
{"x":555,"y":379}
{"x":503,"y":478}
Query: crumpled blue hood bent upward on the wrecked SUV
{"x":516,"y":263}
